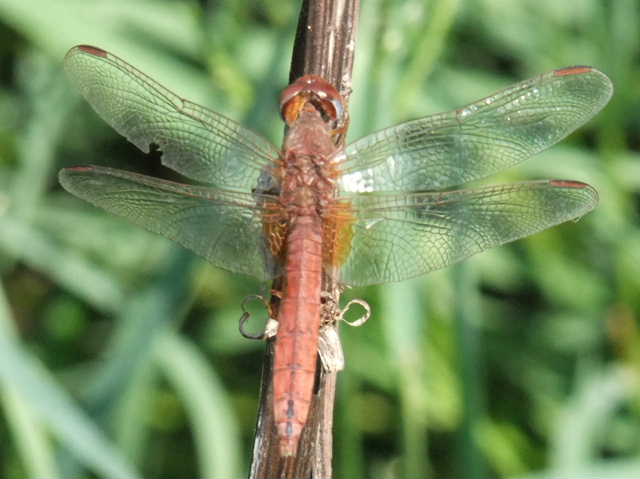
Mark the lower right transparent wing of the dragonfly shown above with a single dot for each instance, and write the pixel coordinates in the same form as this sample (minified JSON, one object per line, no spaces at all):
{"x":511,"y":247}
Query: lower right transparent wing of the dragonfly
{"x":395,"y":237}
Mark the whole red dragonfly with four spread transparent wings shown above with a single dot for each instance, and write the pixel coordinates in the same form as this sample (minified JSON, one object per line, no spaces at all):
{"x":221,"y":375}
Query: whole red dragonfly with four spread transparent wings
{"x":385,"y":208}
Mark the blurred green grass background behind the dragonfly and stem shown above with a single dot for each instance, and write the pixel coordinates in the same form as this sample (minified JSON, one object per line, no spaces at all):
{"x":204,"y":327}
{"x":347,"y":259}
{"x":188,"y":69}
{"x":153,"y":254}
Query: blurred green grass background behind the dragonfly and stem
{"x":119,"y":352}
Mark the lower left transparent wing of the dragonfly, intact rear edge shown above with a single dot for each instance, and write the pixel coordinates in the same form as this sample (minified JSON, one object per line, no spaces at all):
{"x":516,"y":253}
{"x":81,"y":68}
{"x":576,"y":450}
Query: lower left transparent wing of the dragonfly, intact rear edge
{"x":224,"y":227}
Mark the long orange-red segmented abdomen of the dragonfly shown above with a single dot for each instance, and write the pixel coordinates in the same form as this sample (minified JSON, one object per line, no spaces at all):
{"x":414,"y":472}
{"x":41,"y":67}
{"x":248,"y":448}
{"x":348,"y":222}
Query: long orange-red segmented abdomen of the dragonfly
{"x":297,"y":339}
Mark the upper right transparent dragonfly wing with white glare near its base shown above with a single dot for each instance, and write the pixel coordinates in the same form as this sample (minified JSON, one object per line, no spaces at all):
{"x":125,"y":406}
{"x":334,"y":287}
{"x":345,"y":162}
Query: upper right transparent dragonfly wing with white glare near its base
{"x":475,"y":141}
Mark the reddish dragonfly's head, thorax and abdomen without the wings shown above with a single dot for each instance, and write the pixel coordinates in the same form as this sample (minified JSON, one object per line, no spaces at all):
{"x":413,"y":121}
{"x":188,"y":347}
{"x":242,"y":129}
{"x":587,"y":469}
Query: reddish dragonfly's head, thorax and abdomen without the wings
{"x":313,"y":111}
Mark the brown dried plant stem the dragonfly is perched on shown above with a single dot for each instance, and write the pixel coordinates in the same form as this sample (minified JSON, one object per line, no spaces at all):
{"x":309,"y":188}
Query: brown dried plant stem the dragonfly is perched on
{"x":325,"y":46}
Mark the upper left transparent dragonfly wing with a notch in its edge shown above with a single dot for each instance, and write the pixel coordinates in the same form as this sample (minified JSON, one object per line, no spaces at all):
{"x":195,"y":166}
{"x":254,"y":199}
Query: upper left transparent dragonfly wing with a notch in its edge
{"x":195,"y":141}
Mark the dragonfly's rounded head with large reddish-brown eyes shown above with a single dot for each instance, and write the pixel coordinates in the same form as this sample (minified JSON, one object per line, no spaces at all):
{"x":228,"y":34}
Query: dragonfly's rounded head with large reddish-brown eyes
{"x":312,"y":92}
